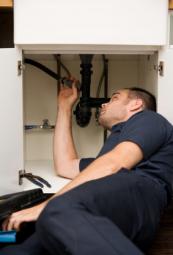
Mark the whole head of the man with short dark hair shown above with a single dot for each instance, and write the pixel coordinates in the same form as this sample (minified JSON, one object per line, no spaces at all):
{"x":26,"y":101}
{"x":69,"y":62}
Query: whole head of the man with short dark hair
{"x":123,"y":104}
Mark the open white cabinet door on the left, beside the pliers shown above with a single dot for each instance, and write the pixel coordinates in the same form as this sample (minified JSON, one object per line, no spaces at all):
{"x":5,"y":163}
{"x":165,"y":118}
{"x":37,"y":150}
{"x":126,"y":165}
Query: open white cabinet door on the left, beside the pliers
{"x":11,"y":121}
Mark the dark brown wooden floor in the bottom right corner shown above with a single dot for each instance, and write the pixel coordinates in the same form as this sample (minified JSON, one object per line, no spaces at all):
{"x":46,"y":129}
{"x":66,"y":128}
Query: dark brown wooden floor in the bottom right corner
{"x":163,"y":242}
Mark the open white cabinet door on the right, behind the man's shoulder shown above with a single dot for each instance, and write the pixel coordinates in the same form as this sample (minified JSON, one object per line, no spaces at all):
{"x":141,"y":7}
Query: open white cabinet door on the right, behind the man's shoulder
{"x":165,"y":85}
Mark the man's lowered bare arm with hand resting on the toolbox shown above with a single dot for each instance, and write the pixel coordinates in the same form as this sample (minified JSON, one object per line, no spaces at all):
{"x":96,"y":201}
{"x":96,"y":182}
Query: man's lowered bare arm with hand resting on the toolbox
{"x":126,"y":154}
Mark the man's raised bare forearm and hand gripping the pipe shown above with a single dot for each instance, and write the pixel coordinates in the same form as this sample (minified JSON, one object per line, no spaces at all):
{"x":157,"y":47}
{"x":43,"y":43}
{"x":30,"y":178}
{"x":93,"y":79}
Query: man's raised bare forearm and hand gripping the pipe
{"x":65,"y":156}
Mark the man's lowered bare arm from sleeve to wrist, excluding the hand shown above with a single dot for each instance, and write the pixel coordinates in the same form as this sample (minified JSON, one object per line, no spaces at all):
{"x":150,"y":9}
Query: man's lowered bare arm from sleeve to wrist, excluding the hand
{"x":125,"y":155}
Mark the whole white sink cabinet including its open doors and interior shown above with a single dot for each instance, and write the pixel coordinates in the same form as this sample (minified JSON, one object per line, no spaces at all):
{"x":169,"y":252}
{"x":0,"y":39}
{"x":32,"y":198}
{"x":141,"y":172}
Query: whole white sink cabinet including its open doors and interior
{"x":129,"y":33}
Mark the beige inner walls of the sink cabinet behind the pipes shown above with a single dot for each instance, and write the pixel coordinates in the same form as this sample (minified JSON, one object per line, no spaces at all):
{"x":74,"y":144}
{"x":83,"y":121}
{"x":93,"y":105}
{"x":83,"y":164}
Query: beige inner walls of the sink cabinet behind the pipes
{"x":40,"y":97}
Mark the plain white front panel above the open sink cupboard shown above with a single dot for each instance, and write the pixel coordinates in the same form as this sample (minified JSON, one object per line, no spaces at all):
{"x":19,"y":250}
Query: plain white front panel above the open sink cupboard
{"x":82,"y":25}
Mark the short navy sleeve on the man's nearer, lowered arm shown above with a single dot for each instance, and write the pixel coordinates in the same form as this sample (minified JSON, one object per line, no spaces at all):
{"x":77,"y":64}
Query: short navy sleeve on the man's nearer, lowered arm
{"x":147,"y":130}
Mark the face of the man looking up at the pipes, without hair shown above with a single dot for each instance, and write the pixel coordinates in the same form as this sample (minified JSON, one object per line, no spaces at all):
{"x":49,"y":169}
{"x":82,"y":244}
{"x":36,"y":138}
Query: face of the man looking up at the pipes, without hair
{"x":116,"y":110}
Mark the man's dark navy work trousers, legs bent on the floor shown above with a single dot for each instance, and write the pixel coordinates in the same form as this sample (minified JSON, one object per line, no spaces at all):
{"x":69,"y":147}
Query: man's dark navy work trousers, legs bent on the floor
{"x":112,"y":215}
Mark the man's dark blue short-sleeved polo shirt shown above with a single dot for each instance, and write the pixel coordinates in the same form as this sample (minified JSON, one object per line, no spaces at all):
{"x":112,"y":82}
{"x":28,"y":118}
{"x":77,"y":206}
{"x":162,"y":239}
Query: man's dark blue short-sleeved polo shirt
{"x":154,"y":135}
